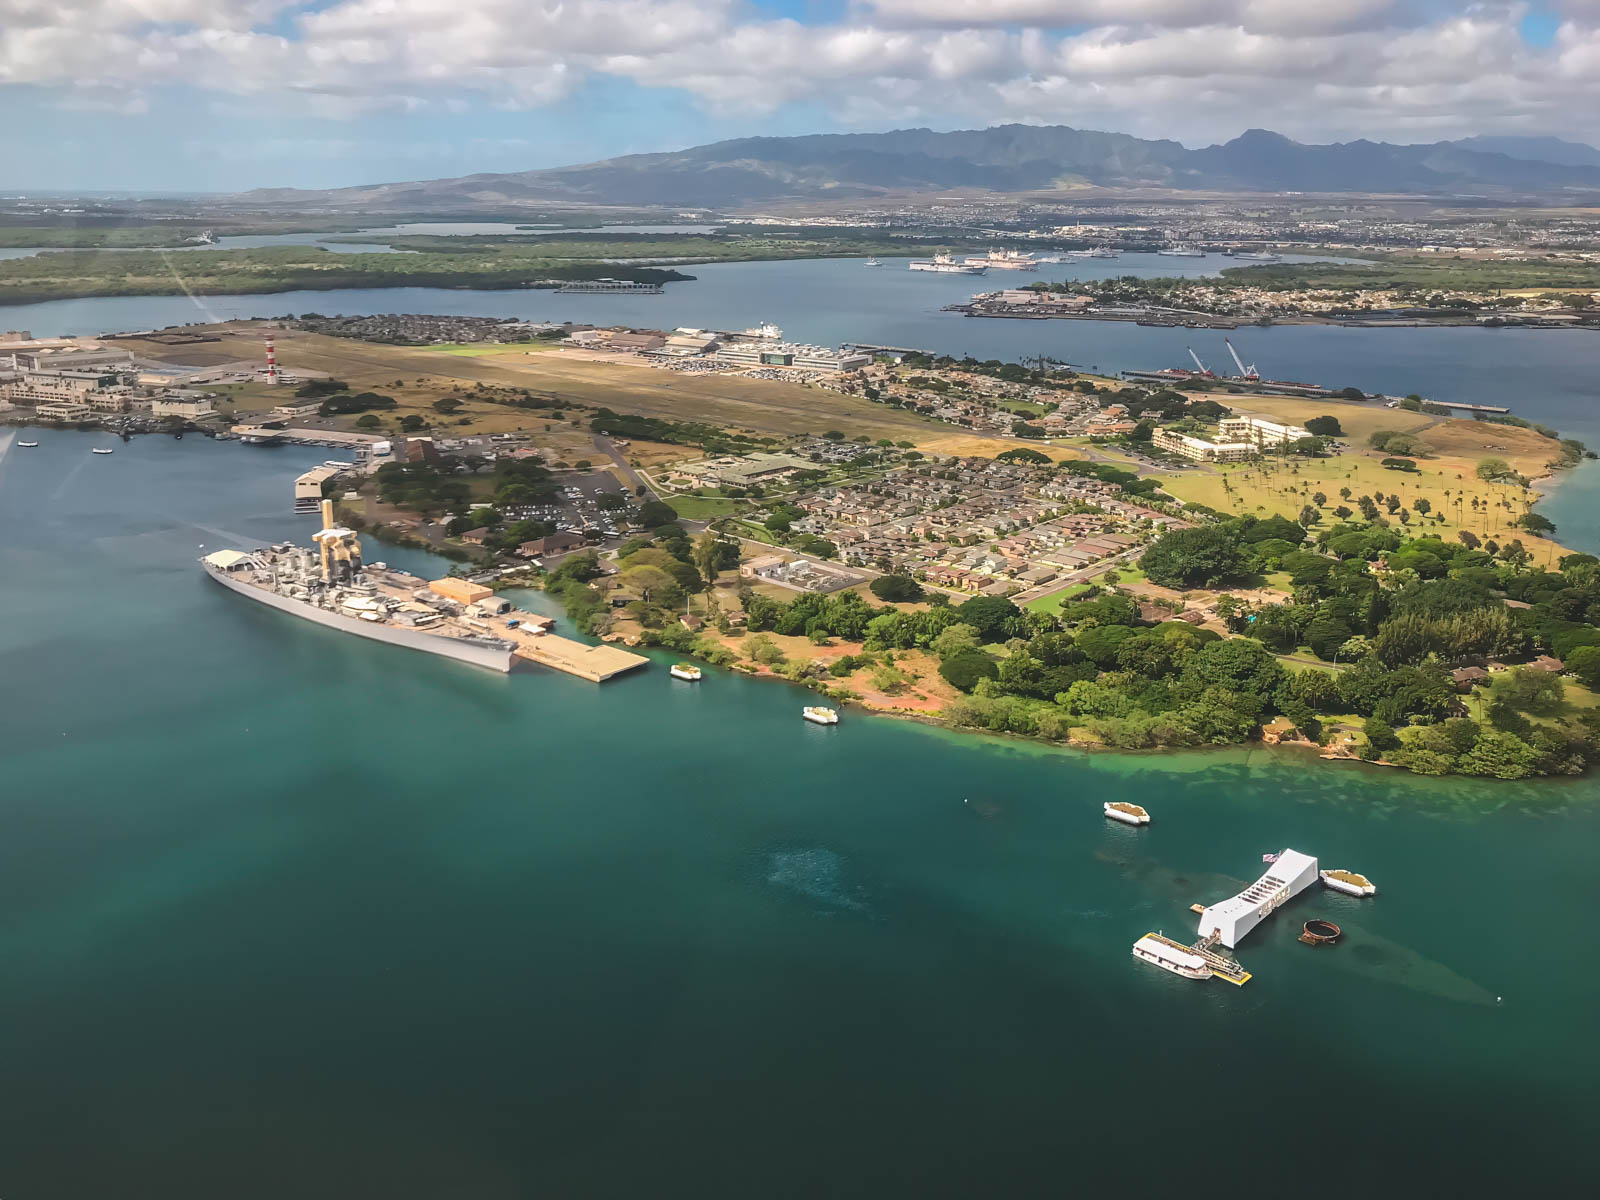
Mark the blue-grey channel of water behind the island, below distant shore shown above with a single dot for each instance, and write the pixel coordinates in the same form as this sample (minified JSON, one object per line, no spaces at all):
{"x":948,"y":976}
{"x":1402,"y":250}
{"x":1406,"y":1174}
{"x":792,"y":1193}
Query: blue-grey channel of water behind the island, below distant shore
{"x":831,"y":302}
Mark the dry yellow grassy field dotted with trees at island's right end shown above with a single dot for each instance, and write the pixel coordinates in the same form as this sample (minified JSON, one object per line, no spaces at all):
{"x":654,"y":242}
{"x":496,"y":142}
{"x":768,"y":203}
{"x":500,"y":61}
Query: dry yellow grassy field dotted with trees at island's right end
{"x":1447,"y":482}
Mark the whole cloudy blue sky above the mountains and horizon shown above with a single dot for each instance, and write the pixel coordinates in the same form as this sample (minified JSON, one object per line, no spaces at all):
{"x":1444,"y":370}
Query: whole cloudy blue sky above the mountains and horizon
{"x":222,"y":95}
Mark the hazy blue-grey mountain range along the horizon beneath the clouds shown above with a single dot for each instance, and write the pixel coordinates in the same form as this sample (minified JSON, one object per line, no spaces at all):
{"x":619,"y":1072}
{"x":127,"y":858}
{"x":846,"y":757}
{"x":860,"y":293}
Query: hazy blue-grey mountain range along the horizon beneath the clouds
{"x":1002,"y":159}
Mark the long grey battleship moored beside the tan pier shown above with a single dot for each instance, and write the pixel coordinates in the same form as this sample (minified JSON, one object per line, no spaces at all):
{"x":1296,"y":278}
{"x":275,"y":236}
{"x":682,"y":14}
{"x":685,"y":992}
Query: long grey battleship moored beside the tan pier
{"x":332,"y":586}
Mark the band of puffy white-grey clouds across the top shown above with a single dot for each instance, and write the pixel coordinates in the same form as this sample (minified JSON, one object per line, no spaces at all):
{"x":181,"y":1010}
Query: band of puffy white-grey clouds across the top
{"x":1193,"y":70}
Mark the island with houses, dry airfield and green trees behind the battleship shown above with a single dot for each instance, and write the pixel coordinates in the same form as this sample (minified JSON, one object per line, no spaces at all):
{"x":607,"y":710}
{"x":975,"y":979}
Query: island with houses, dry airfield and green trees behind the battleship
{"x":1006,"y":548}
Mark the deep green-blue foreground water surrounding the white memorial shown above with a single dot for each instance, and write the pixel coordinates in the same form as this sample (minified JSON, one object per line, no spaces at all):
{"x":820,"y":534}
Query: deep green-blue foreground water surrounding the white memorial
{"x":290,"y":914}
